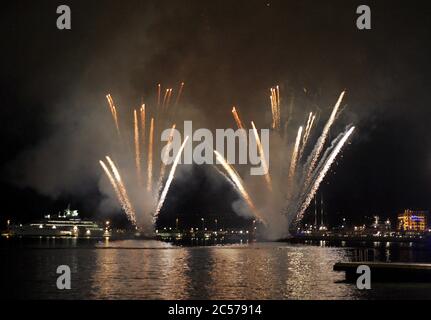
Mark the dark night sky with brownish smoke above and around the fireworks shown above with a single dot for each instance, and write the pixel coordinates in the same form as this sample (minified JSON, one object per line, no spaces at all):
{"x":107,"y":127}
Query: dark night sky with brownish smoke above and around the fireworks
{"x":227,"y":52}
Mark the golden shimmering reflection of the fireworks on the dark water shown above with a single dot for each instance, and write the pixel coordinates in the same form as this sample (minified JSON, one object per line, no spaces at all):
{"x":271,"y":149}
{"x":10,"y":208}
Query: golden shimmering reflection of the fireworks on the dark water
{"x":254,"y":272}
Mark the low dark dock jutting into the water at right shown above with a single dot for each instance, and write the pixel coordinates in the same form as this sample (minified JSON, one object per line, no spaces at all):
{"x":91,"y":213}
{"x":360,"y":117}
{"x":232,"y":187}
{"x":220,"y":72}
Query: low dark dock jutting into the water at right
{"x":388,"y":272}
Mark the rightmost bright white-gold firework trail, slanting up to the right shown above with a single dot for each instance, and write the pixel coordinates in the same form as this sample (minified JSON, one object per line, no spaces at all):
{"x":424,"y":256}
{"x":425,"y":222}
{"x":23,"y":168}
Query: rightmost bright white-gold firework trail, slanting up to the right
{"x":321,"y":175}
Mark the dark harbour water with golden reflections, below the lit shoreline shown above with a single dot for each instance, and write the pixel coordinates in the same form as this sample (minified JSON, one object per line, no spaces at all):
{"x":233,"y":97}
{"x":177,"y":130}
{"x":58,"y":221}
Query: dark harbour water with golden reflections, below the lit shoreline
{"x":155,"y":270}
